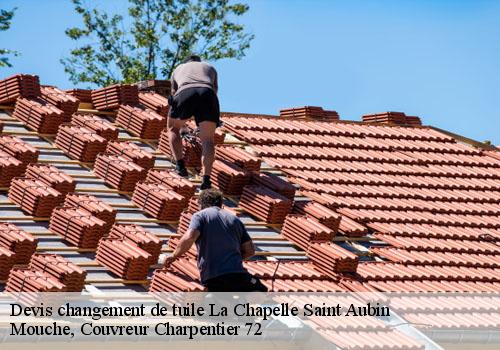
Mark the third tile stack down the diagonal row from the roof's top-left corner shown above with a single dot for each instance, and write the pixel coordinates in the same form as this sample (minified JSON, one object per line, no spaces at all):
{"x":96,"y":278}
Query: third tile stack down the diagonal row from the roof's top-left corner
{"x":80,"y":143}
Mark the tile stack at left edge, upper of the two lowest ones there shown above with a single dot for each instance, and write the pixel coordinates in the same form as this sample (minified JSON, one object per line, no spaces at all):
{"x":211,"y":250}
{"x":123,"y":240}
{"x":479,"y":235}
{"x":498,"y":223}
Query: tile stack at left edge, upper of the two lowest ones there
{"x":20,"y":242}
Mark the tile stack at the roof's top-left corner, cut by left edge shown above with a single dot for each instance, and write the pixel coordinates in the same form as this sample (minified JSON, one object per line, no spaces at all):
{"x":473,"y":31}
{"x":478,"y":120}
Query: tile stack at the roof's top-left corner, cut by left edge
{"x":19,"y":85}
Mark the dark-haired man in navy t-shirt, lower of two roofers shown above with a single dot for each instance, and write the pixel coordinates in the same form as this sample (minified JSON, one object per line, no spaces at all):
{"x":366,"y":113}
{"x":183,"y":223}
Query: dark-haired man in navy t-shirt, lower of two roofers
{"x":222,"y":242}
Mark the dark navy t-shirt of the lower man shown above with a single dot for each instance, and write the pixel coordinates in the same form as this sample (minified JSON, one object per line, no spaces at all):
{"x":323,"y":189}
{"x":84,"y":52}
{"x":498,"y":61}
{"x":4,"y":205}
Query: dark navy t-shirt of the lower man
{"x":221,"y":236}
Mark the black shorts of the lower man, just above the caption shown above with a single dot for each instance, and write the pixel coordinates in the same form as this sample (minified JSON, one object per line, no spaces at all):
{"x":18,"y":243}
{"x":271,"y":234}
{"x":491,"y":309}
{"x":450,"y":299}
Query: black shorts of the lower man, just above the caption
{"x":235,"y":282}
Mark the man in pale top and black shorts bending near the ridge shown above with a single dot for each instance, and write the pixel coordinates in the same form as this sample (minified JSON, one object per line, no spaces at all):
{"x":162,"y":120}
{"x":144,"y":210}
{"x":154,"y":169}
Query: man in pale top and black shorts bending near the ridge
{"x":194,"y":93}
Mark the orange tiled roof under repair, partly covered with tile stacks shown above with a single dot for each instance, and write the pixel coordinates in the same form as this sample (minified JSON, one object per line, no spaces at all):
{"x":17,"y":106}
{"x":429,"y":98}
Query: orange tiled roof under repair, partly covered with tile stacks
{"x":395,"y":207}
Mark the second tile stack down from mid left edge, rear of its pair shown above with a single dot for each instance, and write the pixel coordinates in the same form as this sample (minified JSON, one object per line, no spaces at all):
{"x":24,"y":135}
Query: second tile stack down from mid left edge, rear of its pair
{"x":51,"y":176}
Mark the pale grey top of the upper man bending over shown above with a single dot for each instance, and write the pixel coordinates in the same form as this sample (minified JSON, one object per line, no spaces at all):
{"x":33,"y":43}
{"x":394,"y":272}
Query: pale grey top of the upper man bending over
{"x":194,"y":74}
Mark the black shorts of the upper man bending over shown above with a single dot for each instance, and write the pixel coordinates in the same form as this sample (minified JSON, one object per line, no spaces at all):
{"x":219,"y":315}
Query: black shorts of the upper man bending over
{"x":200,"y":102}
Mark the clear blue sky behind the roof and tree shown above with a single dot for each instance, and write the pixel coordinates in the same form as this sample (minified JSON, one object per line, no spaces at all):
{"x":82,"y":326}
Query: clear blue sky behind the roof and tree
{"x":436,"y":59}
